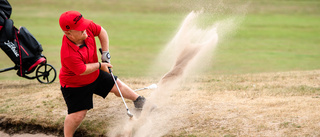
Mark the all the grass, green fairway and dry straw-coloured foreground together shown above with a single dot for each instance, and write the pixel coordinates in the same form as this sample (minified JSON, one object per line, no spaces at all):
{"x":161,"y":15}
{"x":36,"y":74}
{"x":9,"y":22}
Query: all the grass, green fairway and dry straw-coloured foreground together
{"x":239,"y":96}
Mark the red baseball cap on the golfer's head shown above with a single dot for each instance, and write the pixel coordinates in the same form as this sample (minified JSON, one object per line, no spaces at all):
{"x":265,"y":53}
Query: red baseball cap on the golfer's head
{"x":73,"y":20}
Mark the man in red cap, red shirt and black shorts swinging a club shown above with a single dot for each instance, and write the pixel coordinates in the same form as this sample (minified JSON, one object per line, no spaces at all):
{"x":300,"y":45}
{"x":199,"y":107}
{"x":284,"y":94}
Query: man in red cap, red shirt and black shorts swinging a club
{"x":81,"y":74}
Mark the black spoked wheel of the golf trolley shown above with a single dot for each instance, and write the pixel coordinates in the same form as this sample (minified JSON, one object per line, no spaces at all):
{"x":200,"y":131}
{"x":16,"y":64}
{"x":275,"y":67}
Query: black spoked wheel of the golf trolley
{"x":46,"y":73}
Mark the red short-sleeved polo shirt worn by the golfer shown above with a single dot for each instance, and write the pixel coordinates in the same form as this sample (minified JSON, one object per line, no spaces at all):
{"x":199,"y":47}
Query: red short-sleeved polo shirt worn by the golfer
{"x":74,"y":58}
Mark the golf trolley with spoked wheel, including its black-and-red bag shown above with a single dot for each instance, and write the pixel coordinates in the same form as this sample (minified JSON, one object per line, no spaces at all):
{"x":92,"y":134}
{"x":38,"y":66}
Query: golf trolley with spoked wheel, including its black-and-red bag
{"x":23,"y":49}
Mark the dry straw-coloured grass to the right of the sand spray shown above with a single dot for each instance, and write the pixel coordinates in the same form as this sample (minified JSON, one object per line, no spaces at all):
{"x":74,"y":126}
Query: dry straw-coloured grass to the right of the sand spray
{"x":270,"y":104}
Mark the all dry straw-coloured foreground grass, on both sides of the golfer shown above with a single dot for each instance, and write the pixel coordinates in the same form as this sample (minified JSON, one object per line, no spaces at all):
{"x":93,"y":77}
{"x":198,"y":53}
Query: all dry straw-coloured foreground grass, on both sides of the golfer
{"x":267,"y":104}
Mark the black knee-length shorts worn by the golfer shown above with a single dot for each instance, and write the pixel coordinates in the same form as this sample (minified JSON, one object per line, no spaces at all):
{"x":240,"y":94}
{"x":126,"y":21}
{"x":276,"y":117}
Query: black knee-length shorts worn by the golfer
{"x":80,"y":98}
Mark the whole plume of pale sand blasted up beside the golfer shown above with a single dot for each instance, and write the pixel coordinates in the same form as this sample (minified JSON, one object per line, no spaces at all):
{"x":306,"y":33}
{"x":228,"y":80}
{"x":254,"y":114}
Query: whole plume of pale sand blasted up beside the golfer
{"x":187,"y":54}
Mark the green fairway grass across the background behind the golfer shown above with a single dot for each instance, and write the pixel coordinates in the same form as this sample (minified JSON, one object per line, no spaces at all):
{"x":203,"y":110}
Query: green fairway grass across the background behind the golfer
{"x":274,"y":35}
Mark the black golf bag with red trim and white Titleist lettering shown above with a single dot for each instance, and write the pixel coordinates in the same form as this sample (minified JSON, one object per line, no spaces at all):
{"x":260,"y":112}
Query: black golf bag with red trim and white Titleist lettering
{"x":21,"y":47}
